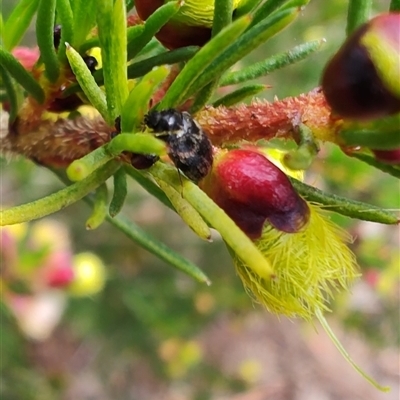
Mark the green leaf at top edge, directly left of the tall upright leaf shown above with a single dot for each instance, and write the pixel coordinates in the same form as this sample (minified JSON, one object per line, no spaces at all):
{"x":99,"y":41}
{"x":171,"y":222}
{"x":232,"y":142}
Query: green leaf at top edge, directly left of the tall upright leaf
{"x":84,"y":12}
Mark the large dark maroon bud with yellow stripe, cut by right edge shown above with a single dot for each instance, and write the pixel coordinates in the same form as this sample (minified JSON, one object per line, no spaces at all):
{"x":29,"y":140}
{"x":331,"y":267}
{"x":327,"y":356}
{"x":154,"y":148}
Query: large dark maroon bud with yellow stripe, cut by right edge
{"x":362,"y":80}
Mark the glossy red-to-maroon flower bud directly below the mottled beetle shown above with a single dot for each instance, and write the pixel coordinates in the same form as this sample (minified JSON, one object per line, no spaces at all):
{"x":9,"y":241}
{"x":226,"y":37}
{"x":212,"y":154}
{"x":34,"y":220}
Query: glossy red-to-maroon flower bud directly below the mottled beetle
{"x":252,"y":190}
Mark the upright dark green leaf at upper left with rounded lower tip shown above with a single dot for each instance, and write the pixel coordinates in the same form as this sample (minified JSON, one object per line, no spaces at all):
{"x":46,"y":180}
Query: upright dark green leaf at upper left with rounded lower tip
{"x":45,"y":38}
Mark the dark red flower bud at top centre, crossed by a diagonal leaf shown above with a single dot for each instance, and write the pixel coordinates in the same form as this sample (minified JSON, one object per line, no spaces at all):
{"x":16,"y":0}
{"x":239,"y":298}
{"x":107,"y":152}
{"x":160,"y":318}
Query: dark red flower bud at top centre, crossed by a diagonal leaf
{"x":176,"y":33}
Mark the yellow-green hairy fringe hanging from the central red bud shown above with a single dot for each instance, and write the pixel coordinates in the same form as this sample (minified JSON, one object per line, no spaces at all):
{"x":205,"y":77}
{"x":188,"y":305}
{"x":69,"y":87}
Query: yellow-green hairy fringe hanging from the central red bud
{"x":308,"y":265}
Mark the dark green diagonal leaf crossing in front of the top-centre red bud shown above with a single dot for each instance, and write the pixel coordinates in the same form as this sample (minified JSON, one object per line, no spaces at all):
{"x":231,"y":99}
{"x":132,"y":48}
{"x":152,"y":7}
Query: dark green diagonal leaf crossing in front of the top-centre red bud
{"x":153,"y":24}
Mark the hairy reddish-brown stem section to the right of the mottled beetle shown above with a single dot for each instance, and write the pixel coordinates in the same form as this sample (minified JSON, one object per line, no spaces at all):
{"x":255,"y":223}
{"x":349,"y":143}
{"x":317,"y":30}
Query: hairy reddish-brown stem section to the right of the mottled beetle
{"x":264,"y":120}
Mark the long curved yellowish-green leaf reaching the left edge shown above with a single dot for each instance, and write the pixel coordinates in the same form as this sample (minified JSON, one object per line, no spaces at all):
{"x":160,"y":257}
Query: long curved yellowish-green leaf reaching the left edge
{"x":59,"y":200}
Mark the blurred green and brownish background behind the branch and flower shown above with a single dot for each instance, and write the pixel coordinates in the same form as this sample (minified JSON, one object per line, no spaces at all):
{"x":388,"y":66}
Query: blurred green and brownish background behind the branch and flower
{"x":153,"y":333}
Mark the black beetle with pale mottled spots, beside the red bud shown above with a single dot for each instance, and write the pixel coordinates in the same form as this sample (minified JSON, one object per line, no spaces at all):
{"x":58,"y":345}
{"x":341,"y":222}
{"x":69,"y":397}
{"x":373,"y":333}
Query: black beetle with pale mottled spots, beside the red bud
{"x":188,"y":146}
